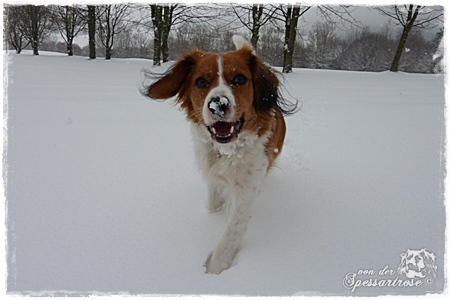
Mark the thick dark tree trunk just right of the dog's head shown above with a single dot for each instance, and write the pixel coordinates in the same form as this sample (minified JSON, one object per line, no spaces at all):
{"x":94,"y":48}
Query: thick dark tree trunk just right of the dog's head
{"x":290,"y":36}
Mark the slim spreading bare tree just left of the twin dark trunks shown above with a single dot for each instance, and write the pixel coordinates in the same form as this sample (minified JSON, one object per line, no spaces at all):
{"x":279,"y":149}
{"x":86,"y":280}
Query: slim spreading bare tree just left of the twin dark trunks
{"x":111,"y":21}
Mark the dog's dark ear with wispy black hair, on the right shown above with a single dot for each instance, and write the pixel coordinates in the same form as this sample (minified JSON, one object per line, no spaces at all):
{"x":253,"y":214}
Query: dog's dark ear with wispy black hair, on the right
{"x":266,"y":88}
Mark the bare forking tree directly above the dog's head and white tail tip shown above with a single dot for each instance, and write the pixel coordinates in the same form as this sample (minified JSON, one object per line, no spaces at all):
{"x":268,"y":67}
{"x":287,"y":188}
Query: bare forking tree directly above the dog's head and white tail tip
{"x":253,"y":17}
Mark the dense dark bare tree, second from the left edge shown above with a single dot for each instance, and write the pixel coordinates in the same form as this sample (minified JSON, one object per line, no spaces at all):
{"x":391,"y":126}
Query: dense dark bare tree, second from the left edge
{"x":34,"y":24}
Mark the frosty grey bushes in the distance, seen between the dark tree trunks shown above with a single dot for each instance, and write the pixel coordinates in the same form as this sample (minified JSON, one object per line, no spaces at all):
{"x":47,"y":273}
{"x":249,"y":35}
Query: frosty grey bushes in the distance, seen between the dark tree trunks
{"x":363,"y":50}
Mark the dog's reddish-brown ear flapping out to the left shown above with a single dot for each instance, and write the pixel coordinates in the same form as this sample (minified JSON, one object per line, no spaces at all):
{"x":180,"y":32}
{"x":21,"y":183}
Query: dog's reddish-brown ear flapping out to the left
{"x":172,"y":81}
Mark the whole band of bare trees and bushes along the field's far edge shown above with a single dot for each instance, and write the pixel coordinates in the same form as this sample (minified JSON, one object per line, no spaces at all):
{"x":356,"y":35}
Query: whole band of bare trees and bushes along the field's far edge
{"x":164,"y":32}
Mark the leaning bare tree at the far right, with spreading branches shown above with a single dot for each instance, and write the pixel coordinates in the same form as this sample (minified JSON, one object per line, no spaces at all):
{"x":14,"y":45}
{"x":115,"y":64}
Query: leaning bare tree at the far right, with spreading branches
{"x":409,"y":16}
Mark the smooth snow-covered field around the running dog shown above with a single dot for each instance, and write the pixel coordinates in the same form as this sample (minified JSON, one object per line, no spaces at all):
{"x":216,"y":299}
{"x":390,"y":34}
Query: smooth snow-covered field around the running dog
{"x":104,"y":197}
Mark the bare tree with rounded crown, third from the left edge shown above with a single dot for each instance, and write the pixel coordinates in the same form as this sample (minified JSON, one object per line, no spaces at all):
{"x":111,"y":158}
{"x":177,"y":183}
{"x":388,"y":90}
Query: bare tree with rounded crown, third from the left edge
{"x":70,"y":23}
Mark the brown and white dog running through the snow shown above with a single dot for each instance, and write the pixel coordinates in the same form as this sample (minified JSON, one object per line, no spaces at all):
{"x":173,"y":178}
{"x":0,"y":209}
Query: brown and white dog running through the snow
{"x":233,"y":103}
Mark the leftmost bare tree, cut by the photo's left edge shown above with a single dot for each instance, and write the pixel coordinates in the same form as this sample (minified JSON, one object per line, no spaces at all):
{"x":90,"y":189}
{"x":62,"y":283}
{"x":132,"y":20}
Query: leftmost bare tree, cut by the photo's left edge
{"x":14,"y":36}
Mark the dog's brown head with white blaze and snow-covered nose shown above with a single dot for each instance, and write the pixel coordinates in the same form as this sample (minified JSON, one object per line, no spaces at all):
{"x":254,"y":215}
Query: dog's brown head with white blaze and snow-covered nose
{"x":227,"y":92}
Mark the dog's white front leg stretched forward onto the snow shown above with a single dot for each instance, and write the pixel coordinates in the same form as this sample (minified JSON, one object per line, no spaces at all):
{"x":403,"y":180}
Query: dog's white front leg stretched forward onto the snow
{"x":243,"y":196}
